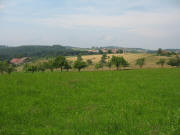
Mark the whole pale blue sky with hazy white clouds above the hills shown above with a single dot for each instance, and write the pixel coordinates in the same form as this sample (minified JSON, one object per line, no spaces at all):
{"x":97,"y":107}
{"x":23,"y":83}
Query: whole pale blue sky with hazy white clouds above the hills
{"x":148,"y":24}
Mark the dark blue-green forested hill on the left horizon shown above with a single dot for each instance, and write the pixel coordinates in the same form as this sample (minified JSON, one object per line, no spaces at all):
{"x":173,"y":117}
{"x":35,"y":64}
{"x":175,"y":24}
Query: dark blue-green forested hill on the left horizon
{"x":37,"y":51}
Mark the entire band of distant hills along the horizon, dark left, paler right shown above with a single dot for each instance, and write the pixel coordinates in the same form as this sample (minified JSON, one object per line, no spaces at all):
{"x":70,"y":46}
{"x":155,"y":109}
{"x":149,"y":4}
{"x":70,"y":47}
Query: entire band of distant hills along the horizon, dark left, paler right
{"x":7,"y":53}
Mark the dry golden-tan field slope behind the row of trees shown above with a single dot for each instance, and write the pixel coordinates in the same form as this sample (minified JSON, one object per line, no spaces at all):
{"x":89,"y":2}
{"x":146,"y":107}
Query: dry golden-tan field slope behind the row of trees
{"x":150,"y":62}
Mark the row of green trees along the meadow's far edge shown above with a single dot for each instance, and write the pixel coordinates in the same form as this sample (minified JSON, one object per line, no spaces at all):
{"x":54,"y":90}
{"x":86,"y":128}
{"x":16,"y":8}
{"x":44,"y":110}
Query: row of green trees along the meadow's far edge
{"x":61,"y":63}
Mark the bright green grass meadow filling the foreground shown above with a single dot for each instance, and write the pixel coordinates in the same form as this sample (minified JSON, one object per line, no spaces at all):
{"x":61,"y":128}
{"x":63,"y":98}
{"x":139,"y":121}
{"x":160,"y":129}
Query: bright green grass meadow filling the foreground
{"x":135,"y":102}
